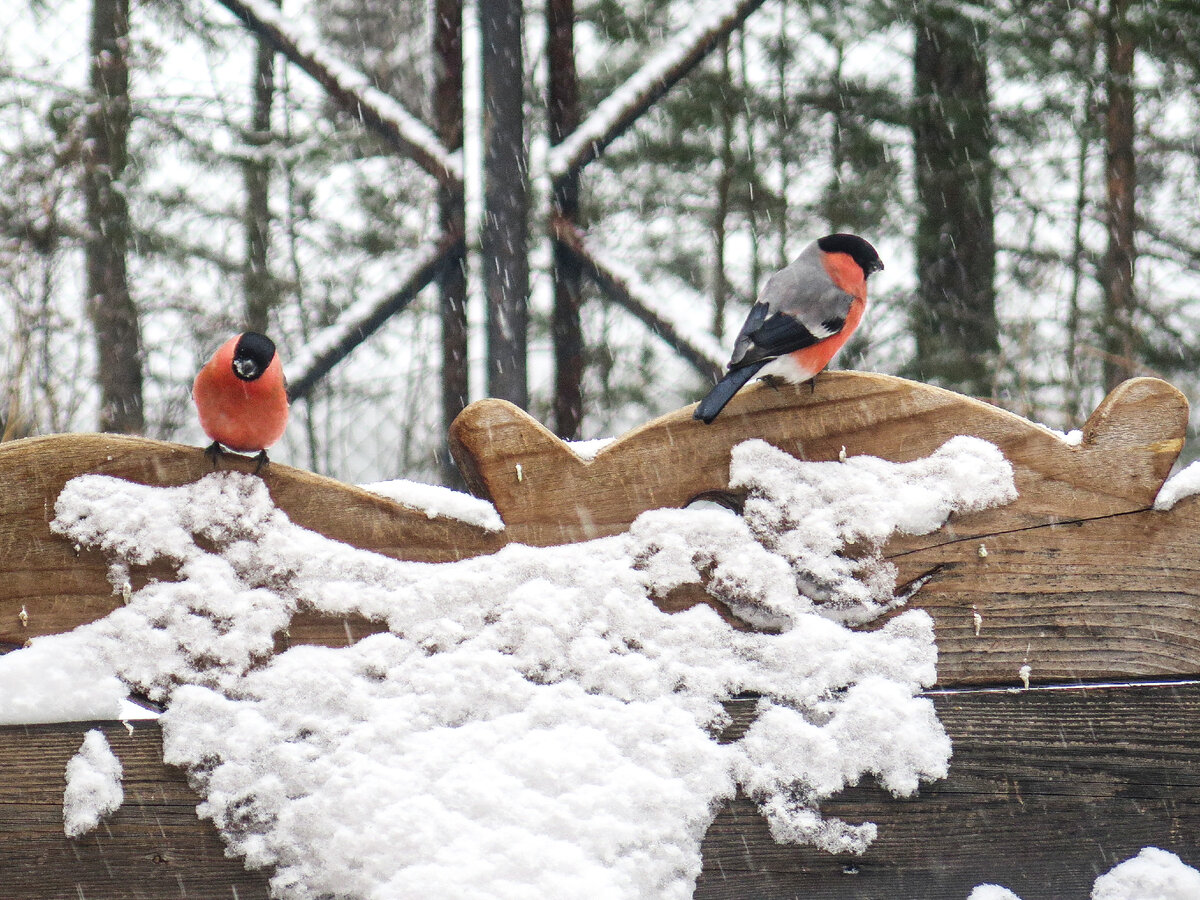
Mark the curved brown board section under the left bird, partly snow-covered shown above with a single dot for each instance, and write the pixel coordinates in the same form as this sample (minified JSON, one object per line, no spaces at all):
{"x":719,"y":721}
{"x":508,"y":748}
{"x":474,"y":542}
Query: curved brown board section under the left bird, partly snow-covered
{"x":61,"y":589}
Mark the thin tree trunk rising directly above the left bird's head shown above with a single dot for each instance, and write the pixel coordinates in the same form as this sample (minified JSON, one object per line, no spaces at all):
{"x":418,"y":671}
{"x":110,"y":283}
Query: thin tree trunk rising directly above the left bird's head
{"x":259,"y":286}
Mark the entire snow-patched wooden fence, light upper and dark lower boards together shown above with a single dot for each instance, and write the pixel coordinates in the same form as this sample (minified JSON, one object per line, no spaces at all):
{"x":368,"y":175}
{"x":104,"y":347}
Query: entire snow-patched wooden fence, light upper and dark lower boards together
{"x":1049,"y":787}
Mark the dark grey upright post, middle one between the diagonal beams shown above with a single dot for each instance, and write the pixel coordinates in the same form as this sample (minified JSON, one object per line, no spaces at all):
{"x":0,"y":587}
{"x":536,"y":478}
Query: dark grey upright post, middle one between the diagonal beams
{"x":506,"y":202}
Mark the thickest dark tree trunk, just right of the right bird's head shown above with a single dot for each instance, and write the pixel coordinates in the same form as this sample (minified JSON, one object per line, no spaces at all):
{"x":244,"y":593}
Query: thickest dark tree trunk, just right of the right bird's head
{"x":955,"y":319}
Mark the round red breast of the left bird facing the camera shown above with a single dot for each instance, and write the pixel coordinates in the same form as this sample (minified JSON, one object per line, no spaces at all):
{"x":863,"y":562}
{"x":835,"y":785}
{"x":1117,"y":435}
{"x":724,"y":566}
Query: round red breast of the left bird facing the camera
{"x":242,"y":416}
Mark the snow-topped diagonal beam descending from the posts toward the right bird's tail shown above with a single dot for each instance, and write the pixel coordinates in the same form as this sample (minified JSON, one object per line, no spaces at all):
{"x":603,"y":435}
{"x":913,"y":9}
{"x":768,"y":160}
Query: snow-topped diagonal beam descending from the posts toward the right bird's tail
{"x":622,"y":287}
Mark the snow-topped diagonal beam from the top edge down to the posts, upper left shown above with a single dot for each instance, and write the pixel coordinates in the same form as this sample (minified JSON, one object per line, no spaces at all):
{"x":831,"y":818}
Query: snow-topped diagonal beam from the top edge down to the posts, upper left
{"x":351,"y":91}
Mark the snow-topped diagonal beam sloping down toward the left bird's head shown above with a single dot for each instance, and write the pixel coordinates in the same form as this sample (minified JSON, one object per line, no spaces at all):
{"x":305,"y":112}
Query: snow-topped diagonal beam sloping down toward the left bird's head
{"x":364,"y":319}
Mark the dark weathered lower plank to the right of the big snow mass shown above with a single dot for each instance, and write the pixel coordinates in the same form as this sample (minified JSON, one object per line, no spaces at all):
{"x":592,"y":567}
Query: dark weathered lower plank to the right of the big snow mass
{"x":1048,"y":789}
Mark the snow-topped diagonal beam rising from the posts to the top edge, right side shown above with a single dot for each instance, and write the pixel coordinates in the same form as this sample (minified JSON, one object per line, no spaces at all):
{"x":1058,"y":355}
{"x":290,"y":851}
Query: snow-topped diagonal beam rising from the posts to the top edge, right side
{"x":644,"y":88}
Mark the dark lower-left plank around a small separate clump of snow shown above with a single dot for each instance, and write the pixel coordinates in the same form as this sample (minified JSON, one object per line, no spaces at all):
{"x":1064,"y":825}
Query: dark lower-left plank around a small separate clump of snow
{"x":153,"y":848}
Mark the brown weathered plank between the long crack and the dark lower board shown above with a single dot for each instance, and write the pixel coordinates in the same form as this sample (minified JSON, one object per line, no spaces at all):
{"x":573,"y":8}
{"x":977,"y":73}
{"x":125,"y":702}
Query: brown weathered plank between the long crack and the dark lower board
{"x":1115,"y":598}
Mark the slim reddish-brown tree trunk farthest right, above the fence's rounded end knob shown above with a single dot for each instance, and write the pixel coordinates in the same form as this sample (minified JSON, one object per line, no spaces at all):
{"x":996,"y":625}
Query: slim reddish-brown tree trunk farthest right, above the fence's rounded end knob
{"x":1120,"y":218}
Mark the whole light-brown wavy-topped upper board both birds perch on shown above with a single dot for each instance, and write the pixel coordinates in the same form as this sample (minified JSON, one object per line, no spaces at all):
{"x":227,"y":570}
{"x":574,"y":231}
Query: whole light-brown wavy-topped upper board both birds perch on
{"x":1073,"y":583}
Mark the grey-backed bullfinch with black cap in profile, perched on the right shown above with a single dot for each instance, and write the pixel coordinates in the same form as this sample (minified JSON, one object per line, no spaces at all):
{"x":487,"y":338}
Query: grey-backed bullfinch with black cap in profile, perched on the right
{"x":803,"y":317}
